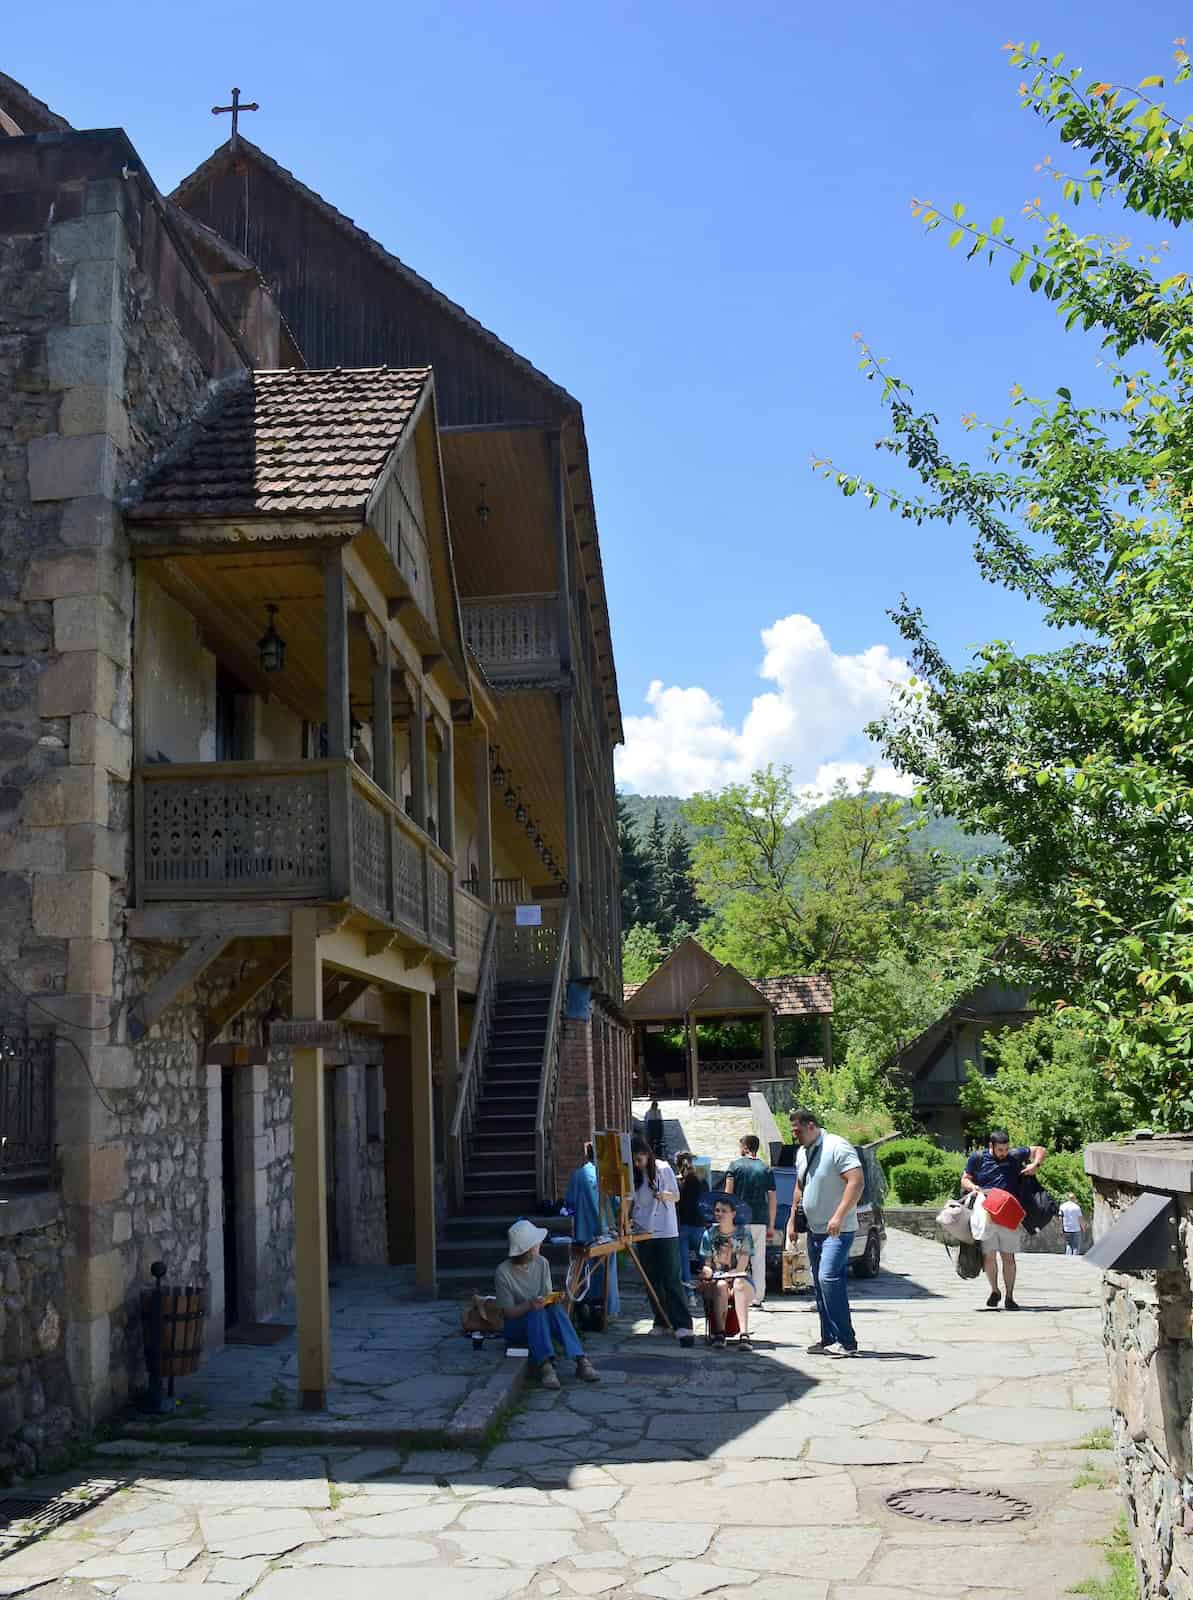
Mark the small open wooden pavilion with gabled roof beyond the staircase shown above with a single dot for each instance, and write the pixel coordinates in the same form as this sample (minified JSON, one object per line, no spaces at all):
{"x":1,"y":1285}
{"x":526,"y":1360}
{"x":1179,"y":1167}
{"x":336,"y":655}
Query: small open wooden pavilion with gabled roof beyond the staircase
{"x":693,"y":986}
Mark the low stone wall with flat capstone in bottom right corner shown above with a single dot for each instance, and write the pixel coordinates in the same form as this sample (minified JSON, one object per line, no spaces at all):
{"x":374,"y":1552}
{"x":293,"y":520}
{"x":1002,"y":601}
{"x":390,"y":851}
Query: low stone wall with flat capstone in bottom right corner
{"x":1147,"y":1324}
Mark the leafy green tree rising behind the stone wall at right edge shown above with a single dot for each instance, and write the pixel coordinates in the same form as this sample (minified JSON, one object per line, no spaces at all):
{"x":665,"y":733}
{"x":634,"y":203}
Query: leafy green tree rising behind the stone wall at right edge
{"x":1082,"y":758}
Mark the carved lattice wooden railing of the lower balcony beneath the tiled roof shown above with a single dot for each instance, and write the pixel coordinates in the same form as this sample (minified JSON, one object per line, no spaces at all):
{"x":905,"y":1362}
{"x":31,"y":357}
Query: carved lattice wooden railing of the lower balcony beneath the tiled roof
{"x":308,"y":831}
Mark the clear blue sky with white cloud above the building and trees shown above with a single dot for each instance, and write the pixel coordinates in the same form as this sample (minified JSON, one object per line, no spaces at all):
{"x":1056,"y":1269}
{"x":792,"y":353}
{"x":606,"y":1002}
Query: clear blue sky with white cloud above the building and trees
{"x":682,"y":212}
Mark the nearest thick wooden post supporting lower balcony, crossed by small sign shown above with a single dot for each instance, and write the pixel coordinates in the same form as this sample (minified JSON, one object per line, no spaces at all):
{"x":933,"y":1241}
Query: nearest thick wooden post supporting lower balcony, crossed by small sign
{"x":311,"y":1185}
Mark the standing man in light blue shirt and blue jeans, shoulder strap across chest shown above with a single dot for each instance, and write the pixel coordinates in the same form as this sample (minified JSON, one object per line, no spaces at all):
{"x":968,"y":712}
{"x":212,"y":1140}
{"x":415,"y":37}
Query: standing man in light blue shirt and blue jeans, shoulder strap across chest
{"x":829,"y":1185}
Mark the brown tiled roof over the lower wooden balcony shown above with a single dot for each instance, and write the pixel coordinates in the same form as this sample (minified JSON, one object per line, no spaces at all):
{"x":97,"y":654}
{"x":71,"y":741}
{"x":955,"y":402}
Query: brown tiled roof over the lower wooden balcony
{"x":308,"y":444}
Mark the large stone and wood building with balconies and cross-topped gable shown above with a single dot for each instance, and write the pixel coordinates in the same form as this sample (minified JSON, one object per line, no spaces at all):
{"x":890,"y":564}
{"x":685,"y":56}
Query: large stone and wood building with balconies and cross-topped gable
{"x":308,"y":710}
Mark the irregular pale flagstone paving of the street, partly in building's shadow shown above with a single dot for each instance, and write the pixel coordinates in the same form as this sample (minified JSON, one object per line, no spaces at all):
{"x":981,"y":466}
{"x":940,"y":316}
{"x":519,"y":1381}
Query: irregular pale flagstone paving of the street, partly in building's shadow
{"x":744,"y":1476}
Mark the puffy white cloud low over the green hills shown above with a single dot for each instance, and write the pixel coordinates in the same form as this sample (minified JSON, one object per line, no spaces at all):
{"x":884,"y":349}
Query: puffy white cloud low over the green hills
{"x":813,"y":719}
